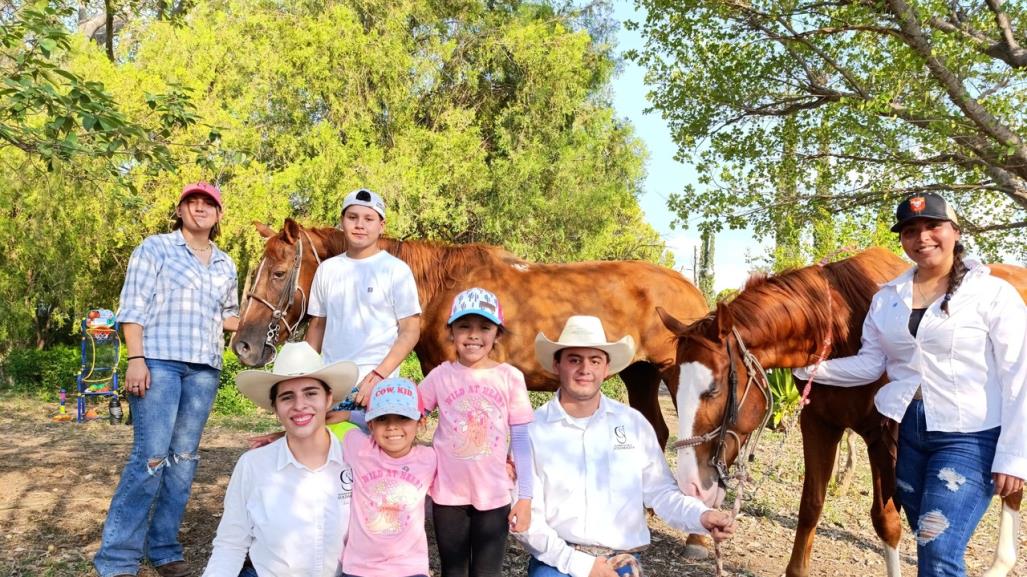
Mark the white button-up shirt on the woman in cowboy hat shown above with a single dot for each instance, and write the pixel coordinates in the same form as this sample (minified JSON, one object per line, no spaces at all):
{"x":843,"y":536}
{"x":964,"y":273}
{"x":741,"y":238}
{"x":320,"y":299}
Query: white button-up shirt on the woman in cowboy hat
{"x":292,"y":521}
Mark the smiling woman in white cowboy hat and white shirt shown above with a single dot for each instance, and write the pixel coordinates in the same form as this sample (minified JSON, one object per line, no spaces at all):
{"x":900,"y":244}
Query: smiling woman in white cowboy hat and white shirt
{"x":288,"y":503}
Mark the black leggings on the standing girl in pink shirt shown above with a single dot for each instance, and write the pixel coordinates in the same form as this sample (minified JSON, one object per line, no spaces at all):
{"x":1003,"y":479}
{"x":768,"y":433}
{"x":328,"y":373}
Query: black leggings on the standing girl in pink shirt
{"x":472,"y":544}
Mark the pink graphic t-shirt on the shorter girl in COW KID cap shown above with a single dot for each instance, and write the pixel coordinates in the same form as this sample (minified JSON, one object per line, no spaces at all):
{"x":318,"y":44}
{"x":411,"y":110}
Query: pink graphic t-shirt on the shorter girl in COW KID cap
{"x":387,"y":516}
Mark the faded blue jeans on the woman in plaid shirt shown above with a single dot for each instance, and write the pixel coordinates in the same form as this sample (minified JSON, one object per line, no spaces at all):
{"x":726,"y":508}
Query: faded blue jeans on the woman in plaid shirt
{"x":150,"y":501}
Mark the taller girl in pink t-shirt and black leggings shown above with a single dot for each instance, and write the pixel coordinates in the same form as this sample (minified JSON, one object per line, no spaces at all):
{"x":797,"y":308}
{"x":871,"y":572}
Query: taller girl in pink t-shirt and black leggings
{"x":481,"y":404}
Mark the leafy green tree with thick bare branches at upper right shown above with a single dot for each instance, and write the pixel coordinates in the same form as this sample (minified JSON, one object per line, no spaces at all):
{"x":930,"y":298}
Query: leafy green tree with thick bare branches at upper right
{"x":870,"y":100}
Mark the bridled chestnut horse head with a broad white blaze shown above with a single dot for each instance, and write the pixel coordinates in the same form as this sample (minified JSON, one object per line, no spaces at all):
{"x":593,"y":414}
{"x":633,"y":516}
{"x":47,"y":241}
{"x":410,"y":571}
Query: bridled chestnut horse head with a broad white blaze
{"x":722,"y":400}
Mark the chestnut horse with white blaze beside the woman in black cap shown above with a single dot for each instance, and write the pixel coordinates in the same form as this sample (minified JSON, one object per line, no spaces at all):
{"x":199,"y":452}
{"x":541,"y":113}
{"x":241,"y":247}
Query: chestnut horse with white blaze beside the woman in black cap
{"x":784,"y":322}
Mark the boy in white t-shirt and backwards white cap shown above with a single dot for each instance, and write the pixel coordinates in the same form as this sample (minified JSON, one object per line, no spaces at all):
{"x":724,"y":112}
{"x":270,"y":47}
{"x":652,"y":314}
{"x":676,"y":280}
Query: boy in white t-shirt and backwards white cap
{"x":364,"y":304}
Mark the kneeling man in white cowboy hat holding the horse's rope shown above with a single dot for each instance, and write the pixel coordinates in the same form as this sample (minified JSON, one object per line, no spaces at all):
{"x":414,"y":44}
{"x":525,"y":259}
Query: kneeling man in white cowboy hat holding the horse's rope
{"x":598,"y":467}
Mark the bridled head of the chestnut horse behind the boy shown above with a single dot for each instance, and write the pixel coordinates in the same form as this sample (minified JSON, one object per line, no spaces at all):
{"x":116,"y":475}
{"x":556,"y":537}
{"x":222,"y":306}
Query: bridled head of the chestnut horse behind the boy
{"x":276,"y":300}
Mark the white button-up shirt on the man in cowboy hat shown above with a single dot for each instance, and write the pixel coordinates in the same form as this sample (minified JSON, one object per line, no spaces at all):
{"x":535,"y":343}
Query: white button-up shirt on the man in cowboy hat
{"x":593,"y":484}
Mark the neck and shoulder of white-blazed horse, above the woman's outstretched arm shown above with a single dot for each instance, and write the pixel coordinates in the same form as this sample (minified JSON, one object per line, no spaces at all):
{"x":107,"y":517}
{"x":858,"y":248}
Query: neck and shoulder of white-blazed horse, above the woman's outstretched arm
{"x":790,"y":307}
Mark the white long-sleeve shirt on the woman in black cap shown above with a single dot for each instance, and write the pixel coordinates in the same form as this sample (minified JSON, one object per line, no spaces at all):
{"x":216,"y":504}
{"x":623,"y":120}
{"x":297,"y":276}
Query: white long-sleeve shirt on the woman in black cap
{"x":970,"y":365}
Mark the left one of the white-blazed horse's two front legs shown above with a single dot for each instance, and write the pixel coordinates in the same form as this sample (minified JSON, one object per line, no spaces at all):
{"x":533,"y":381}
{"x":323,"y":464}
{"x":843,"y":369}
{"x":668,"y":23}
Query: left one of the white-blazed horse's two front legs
{"x":820,"y":444}
